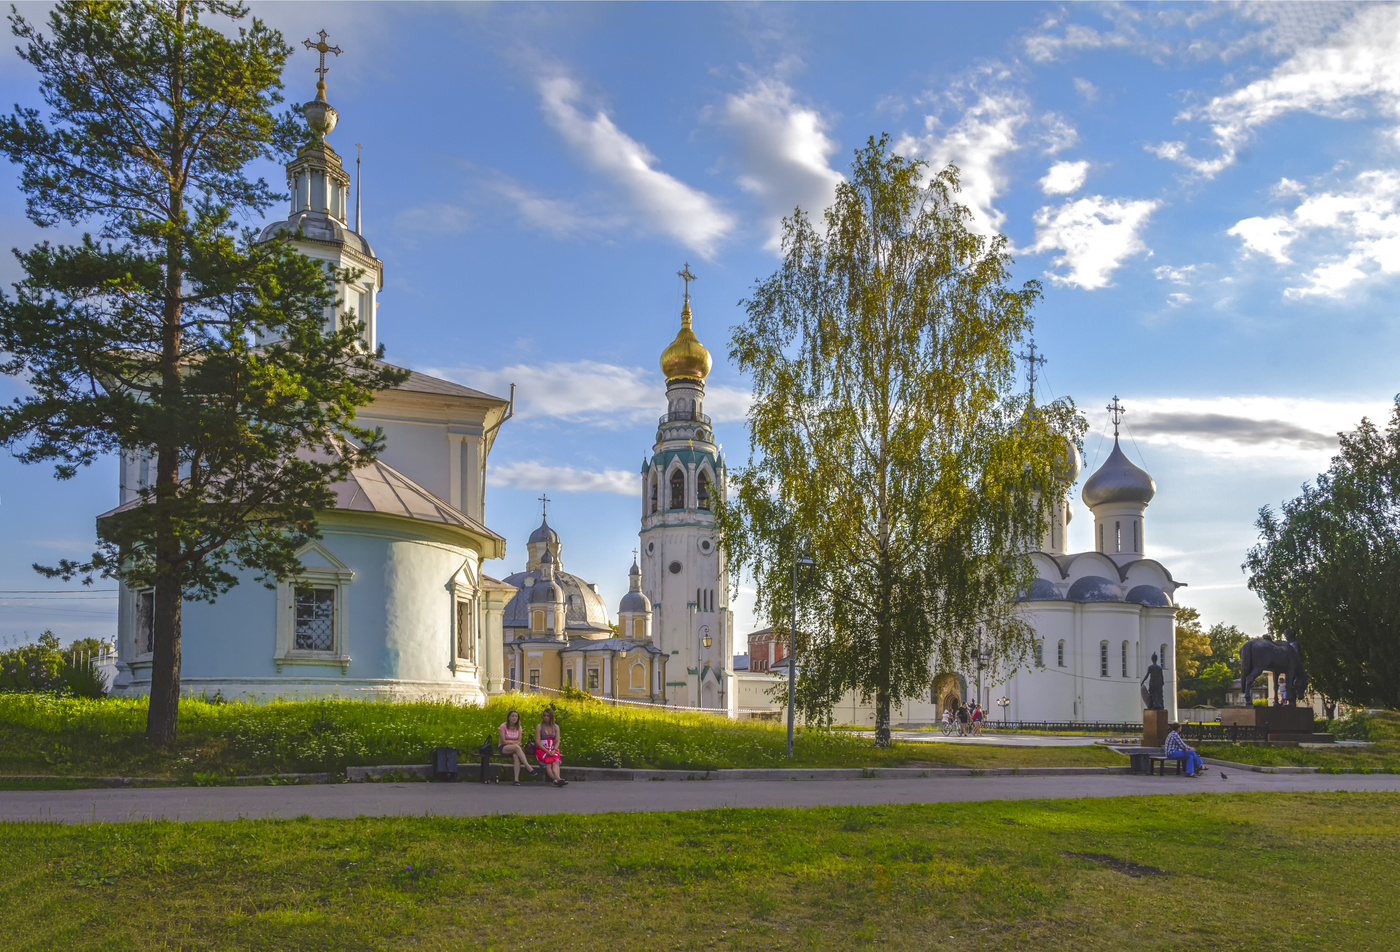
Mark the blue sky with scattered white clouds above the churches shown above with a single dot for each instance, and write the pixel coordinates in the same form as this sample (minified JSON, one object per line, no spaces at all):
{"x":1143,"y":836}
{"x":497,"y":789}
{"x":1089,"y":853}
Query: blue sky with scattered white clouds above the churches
{"x":1210,"y":195}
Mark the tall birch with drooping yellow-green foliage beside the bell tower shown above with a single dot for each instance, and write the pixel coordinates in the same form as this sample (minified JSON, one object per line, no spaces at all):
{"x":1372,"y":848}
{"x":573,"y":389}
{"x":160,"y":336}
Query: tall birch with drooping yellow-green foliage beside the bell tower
{"x":885,"y":440}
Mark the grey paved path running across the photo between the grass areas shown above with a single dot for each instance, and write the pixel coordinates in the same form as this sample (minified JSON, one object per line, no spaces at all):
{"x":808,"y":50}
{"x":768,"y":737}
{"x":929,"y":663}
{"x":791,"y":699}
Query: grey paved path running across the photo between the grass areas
{"x":580,"y":797}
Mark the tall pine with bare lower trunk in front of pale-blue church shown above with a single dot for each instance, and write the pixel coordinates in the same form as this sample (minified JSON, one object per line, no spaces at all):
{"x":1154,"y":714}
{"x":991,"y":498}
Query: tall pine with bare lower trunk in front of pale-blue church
{"x":139,"y":338}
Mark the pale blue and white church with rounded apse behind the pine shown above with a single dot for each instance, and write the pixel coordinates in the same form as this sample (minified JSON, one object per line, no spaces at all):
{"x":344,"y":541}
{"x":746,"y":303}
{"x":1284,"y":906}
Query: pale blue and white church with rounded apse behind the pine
{"x":393,"y":601}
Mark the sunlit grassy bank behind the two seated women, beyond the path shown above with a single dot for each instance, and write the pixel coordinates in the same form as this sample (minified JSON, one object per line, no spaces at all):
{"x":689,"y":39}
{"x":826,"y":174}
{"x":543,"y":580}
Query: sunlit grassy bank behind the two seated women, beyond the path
{"x":103,"y":738}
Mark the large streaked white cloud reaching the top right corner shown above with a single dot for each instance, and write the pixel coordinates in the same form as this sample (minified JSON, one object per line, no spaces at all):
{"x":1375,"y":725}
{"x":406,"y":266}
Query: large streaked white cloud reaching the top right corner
{"x":1333,"y":78}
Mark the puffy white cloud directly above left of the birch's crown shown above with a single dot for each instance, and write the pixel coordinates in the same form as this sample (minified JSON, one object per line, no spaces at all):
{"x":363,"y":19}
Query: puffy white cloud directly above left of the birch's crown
{"x":785,"y":152}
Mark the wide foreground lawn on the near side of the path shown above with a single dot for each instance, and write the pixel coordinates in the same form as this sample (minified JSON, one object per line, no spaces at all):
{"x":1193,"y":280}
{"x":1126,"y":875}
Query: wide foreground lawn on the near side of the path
{"x":1228,"y":871}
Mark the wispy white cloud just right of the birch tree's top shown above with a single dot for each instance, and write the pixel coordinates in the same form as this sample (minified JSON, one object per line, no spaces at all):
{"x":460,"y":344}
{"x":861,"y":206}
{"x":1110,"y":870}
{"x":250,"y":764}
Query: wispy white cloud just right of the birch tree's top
{"x":976,"y":143}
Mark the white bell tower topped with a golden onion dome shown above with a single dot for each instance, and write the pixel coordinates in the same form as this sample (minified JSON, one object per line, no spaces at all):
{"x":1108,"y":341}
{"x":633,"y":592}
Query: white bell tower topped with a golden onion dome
{"x":684,"y":572}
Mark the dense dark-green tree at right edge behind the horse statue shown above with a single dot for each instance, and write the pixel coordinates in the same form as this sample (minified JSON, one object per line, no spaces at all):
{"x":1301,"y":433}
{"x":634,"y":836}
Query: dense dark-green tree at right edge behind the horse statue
{"x":1326,"y":569}
